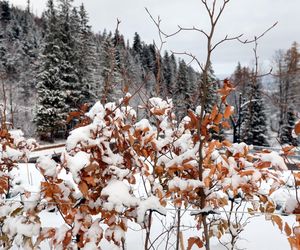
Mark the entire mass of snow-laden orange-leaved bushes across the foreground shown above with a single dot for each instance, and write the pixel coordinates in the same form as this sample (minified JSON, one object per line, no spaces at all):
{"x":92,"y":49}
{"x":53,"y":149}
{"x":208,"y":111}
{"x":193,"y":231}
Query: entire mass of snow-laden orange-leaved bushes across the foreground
{"x":123,"y":169}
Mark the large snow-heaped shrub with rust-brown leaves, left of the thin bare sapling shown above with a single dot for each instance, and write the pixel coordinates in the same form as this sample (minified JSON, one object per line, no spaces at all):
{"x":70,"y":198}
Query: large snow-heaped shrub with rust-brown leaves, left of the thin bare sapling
{"x":105,"y":158}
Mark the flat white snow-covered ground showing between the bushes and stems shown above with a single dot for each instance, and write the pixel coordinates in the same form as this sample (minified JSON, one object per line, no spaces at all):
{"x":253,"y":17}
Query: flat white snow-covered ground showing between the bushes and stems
{"x":259,"y":234}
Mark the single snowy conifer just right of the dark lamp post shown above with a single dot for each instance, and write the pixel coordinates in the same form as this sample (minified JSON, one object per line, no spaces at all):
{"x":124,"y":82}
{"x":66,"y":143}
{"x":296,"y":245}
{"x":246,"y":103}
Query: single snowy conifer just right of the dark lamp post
{"x":254,"y":127}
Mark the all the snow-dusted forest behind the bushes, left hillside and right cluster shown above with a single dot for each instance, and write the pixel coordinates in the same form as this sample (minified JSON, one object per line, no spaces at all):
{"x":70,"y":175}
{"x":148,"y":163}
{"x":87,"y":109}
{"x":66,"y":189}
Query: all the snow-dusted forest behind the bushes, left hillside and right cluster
{"x":54,"y":64}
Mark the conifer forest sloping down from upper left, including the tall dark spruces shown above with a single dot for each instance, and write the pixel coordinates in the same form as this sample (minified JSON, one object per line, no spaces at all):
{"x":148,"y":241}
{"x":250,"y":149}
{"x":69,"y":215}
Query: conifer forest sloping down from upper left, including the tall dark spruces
{"x":51,"y":66}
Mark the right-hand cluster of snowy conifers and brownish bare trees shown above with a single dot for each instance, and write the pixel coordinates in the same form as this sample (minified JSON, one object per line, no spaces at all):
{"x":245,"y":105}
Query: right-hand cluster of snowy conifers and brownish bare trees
{"x":273,"y":108}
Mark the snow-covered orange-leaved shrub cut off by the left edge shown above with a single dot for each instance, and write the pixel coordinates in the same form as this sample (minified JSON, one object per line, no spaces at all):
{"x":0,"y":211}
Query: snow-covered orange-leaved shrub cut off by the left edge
{"x":19,"y":222}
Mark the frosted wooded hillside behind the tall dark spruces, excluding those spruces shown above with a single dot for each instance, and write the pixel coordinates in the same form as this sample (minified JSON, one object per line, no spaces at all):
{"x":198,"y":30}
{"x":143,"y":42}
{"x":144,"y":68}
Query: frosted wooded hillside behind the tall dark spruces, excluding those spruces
{"x":22,"y":44}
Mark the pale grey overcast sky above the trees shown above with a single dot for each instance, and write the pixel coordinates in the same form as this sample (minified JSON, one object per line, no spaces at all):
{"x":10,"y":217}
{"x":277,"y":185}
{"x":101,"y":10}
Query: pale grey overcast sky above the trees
{"x":248,"y":17}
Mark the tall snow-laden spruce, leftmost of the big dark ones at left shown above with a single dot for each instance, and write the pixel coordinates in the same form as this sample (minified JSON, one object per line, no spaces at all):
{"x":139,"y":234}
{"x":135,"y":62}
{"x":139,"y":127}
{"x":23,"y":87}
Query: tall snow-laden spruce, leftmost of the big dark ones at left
{"x":51,"y":97}
